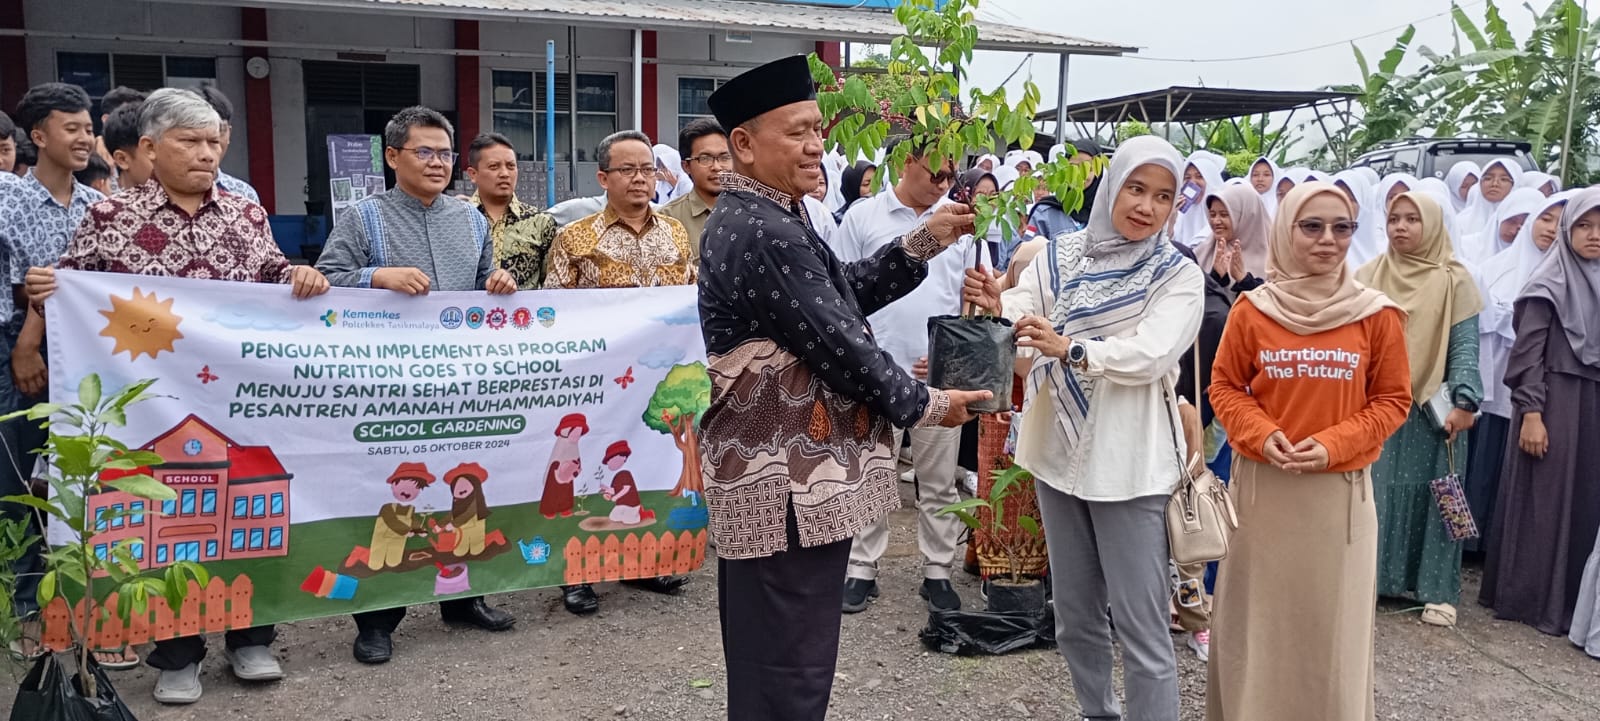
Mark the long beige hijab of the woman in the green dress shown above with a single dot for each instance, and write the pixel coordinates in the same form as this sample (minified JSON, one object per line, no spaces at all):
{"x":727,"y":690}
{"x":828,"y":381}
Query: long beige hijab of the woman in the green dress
{"x":1436,"y":292}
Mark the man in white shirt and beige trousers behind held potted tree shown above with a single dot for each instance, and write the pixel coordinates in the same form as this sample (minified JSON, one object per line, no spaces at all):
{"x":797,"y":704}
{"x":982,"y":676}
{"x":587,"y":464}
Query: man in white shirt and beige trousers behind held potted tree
{"x":903,"y":332}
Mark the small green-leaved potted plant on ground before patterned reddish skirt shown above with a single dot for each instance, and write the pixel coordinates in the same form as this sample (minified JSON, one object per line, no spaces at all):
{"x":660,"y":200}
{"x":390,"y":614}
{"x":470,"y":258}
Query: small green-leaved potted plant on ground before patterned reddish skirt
{"x":1015,"y":591}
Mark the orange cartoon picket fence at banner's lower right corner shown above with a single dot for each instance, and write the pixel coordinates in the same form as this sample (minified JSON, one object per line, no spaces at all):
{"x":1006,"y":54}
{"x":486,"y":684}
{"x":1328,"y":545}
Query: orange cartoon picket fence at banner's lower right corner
{"x":634,"y":557}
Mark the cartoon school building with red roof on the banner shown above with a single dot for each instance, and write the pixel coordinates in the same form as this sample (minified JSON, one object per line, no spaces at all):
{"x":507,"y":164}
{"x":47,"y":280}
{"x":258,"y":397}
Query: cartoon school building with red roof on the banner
{"x":233,"y":501}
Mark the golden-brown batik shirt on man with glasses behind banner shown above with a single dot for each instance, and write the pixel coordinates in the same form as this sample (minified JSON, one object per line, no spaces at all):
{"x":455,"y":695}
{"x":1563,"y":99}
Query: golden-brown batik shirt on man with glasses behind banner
{"x":604,"y":252}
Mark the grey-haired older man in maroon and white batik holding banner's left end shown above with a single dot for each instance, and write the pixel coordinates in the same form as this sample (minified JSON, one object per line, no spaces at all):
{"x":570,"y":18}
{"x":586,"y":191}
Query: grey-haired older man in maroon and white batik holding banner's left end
{"x":180,"y":225}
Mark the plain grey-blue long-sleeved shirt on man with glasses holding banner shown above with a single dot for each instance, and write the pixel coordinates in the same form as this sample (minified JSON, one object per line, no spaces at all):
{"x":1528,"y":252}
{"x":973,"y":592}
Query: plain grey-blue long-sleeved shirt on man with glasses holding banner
{"x":449,"y":241}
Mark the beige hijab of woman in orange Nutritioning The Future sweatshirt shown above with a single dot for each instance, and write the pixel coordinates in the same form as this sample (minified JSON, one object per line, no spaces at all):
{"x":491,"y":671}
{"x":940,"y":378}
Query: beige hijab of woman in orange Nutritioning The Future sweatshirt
{"x":1303,"y":303}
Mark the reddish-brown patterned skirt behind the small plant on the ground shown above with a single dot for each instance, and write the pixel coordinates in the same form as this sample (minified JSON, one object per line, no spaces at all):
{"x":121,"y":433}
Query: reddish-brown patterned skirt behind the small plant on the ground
{"x":994,"y":455}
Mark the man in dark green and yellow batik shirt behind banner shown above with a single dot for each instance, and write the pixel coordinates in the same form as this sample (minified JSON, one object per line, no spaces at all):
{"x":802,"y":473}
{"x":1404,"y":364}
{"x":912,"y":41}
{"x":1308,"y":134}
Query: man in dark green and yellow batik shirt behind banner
{"x":522,"y":234}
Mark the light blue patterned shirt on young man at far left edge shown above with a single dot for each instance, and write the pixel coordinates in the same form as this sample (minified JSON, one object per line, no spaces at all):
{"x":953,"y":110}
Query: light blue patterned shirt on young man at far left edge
{"x":34,"y":229}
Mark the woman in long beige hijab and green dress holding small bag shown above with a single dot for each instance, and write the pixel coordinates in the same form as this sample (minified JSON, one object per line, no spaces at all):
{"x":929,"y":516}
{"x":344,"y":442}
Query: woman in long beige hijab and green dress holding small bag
{"x":1417,"y":557}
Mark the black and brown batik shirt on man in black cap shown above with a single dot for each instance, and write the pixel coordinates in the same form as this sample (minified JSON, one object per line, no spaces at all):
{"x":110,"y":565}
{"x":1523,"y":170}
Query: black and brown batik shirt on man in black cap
{"x":804,"y":402}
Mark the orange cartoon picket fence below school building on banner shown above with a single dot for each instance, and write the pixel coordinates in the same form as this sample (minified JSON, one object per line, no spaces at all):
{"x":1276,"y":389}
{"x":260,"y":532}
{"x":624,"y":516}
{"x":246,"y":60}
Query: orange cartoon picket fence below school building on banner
{"x":218,"y":608}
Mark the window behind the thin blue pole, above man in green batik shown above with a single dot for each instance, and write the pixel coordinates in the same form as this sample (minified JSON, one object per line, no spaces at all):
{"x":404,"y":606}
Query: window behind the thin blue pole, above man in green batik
{"x":521,"y":113}
